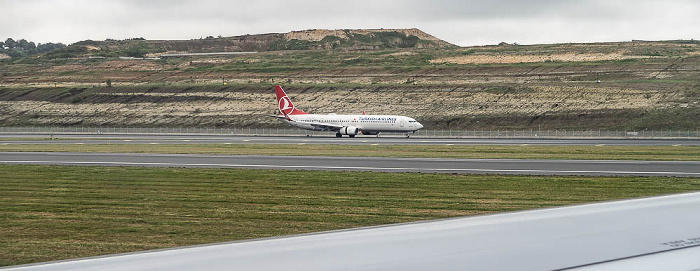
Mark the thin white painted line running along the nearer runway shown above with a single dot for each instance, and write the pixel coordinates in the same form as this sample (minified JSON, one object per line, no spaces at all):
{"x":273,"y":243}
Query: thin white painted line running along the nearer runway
{"x":403,"y":169}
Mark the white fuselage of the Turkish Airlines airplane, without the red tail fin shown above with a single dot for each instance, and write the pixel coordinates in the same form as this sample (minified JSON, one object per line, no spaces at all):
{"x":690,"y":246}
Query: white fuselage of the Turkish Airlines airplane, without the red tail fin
{"x":366,"y":123}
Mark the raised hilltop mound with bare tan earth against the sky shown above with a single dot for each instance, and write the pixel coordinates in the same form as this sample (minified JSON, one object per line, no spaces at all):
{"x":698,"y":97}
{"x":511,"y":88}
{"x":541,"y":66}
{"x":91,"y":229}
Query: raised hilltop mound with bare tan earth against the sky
{"x":348,"y":39}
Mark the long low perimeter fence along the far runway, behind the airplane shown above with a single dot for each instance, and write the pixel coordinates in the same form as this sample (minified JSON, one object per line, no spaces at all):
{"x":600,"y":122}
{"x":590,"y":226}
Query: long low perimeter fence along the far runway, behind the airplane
{"x":425,"y":133}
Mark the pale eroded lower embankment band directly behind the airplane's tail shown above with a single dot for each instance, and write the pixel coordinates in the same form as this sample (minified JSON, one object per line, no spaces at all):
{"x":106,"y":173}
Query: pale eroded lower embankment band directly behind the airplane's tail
{"x":513,"y":107}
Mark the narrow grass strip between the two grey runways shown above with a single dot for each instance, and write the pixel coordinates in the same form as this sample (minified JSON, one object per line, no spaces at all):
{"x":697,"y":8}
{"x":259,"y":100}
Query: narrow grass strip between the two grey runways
{"x":668,"y":153}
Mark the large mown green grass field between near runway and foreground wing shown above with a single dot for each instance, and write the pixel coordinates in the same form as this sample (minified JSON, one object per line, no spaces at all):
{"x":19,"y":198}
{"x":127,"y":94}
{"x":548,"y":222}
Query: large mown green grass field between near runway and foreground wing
{"x":57,"y":212}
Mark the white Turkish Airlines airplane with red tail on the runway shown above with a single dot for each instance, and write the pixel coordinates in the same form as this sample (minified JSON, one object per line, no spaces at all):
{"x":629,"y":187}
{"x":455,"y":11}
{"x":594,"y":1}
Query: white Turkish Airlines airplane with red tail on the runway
{"x":350,"y":125}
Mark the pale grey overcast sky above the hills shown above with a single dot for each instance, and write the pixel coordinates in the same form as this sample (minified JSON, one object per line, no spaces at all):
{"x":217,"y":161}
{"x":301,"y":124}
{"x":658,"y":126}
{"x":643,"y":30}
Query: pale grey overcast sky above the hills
{"x":462,"y":22}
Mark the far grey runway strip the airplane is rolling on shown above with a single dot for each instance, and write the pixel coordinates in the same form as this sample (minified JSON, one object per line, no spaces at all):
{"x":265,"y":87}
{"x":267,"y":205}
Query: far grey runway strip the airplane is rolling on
{"x":8,"y":139}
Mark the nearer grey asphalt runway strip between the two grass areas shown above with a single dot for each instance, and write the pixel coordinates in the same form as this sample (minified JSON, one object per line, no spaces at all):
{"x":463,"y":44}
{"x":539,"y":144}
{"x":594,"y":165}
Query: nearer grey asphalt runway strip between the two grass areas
{"x":378,"y":164}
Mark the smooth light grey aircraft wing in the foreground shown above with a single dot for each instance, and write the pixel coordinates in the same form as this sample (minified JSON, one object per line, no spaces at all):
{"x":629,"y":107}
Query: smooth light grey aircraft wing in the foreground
{"x":660,"y":233}
